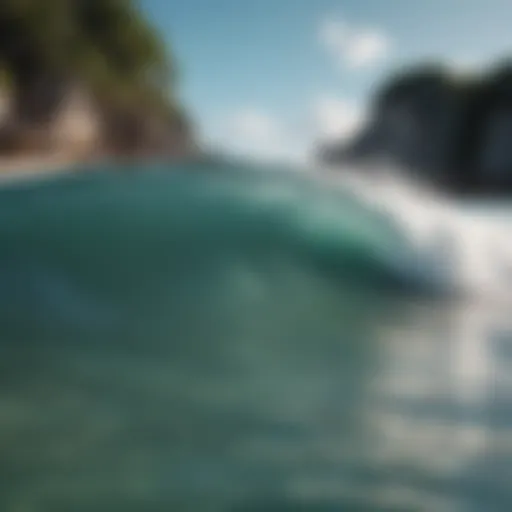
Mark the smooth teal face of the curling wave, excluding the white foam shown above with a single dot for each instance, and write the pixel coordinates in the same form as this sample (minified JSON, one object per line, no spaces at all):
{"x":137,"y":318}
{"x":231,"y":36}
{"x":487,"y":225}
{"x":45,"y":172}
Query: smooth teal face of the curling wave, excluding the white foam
{"x":108,"y":245}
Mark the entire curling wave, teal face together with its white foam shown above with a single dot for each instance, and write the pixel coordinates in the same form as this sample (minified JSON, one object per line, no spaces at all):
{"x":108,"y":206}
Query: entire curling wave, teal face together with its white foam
{"x":97,"y":249}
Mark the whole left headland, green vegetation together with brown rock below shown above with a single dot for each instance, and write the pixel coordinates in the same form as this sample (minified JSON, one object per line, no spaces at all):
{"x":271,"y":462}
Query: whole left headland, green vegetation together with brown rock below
{"x":105,"y":52}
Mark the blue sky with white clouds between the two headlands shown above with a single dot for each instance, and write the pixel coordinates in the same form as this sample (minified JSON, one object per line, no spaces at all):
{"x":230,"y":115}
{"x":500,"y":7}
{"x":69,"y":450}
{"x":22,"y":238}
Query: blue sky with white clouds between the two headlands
{"x":268,"y":77}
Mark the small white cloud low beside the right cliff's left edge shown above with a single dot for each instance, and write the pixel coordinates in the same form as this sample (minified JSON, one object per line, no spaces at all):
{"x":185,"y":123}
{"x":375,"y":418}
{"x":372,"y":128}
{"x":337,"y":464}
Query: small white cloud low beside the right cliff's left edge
{"x":337,"y":118}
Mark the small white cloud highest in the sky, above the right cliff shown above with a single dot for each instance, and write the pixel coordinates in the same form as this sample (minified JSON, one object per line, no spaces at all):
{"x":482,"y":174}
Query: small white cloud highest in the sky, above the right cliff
{"x":355,"y":47}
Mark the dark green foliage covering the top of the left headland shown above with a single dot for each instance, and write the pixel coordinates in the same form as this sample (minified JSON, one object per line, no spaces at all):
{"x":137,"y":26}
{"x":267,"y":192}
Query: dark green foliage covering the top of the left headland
{"x":108,"y":44}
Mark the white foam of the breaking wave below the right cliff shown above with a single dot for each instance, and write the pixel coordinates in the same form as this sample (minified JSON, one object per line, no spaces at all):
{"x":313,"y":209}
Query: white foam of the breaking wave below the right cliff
{"x":462,"y":249}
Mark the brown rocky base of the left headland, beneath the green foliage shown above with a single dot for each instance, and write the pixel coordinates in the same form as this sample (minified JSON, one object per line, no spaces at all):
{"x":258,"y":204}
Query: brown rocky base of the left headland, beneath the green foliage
{"x":78,"y":125}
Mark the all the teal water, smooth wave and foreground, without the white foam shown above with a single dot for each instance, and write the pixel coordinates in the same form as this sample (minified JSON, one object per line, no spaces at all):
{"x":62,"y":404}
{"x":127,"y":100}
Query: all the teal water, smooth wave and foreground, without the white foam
{"x":227,"y":339}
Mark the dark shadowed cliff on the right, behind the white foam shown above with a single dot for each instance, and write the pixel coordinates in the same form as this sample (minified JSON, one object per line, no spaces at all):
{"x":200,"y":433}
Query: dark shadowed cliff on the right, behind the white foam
{"x":456,"y":133}
